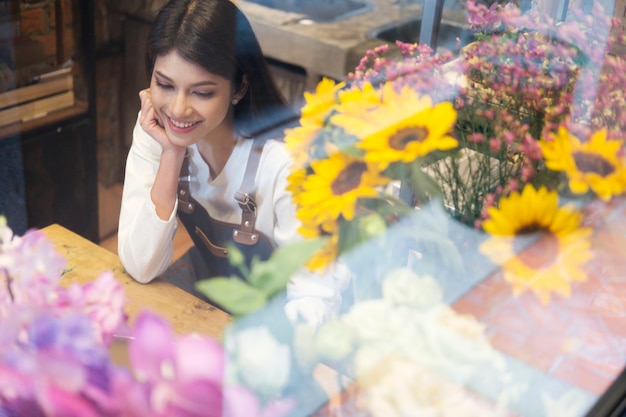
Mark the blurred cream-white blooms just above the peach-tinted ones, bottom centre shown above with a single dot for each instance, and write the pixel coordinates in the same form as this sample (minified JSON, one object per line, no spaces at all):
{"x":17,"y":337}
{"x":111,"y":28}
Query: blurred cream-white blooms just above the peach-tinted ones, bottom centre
{"x":413,"y":321}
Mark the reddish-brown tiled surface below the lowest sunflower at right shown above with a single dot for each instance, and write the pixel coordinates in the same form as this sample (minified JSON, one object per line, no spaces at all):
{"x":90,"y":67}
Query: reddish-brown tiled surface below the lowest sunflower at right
{"x":580,"y":339}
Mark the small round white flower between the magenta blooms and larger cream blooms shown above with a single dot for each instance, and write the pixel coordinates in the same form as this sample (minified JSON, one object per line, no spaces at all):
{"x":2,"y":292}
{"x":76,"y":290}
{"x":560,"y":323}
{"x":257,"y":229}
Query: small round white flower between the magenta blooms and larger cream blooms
{"x":263,"y":362}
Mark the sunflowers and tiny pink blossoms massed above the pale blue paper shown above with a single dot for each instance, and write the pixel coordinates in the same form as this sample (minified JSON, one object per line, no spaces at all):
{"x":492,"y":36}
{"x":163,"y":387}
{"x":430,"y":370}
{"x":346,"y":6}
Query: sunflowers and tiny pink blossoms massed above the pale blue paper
{"x":529,"y":102}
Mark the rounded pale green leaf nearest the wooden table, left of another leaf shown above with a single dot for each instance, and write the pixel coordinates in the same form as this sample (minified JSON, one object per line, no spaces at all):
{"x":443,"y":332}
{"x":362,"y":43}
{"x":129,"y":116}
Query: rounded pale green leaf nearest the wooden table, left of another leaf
{"x":233,"y":294}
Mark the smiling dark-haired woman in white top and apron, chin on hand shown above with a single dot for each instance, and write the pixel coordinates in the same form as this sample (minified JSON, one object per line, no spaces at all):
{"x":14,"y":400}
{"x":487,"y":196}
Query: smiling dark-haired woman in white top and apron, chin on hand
{"x":210,"y":93}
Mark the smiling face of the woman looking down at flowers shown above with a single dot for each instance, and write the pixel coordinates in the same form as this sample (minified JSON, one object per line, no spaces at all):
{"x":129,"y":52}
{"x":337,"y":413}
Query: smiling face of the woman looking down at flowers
{"x":191,"y":103}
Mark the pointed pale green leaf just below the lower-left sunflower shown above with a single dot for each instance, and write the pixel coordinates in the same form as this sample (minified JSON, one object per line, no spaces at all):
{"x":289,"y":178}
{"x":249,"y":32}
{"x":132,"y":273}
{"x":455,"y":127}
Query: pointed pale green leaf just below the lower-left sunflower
{"x":271,"y":276}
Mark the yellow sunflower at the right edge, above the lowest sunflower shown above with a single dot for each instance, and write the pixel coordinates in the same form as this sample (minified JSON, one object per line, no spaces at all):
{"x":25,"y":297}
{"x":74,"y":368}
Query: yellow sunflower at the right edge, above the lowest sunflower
{"x":591,"y":165}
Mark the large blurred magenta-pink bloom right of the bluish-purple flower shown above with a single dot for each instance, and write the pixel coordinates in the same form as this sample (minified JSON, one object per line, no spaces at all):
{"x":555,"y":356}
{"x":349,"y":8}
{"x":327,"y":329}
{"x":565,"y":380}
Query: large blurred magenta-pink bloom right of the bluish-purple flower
{"x":183,"y":376}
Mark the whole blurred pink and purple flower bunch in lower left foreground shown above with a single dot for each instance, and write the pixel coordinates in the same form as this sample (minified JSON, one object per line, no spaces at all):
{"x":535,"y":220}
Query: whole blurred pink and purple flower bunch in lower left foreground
{"x":56,"y":350}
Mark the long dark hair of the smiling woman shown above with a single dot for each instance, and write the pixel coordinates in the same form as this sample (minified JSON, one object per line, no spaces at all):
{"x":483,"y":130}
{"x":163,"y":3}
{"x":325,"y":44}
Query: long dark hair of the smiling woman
{"x":216,"y":35}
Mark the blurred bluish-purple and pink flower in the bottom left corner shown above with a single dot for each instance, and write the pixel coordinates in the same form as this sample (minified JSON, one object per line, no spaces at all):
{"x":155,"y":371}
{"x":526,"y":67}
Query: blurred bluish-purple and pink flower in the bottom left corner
{"x":60,"y":365}
